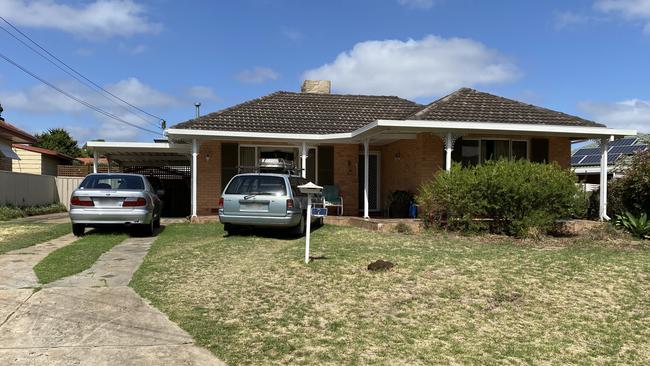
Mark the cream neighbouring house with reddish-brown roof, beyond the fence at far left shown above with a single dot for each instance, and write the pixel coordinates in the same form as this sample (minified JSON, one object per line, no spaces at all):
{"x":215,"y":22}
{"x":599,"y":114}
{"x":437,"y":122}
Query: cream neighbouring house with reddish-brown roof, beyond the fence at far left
{"x":37,"y":160}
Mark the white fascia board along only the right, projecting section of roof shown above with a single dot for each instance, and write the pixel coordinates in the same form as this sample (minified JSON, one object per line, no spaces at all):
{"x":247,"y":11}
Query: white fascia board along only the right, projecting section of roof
{"x":496,"y":127}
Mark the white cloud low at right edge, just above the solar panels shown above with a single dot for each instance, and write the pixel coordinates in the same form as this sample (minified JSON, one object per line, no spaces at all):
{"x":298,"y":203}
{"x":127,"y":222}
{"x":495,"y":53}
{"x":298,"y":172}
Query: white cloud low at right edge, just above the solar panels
{"x":632,"y":113}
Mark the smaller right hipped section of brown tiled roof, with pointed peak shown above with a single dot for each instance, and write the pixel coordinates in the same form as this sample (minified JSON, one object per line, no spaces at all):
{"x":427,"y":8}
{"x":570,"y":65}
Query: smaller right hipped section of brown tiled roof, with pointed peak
{"x":469,"y":105}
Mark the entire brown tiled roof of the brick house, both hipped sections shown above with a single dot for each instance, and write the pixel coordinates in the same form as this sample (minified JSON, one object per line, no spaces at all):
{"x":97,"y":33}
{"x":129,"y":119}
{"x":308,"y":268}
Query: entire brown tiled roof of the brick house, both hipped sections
{"x":287,"y":112}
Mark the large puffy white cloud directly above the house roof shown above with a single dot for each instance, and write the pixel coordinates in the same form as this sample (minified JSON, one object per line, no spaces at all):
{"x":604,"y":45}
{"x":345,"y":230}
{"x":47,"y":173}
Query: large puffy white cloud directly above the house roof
{"x":415,"y":68}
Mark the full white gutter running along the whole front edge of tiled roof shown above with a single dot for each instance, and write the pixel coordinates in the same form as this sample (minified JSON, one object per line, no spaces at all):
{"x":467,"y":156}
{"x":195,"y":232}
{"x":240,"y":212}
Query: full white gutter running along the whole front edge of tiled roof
{"x":410,"y":125}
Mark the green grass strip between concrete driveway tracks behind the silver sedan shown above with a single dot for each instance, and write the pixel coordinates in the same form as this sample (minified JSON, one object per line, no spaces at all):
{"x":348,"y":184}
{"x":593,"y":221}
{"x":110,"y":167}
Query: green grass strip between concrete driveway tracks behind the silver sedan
{"x":76,"y":257}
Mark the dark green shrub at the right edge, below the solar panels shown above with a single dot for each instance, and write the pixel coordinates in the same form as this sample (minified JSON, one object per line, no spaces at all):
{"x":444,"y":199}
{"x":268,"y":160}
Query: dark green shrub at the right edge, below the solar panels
{"x":632,"y":191}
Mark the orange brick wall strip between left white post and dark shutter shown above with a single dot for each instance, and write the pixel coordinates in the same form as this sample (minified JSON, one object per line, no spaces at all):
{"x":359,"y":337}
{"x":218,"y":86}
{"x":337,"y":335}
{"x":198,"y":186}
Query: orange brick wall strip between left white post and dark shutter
{"x":209,"y":178}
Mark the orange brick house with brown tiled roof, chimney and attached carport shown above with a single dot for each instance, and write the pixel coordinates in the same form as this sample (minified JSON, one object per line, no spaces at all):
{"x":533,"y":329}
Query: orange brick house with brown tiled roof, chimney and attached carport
{"x":367,"y":145}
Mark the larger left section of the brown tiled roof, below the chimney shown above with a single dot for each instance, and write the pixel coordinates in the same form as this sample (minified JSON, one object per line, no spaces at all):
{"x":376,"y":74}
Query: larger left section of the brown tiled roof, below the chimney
{"x":287,"y":112}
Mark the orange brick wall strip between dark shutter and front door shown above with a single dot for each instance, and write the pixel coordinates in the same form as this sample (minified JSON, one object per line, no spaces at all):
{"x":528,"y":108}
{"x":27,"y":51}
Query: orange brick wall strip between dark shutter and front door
{"x":346,"y":171}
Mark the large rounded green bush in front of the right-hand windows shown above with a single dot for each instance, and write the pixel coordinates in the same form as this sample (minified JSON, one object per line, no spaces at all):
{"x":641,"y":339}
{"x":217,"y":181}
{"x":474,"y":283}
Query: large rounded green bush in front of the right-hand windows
{"x":510,"y":197}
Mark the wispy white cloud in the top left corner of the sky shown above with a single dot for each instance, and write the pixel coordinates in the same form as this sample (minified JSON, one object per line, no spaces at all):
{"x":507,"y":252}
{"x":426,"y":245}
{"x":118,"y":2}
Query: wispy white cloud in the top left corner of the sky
{"x":97,"y":19}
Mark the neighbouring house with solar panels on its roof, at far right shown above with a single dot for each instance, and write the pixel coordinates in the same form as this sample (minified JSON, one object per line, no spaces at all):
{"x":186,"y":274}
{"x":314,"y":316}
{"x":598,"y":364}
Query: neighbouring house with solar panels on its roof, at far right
{"x":586,"y":160}
